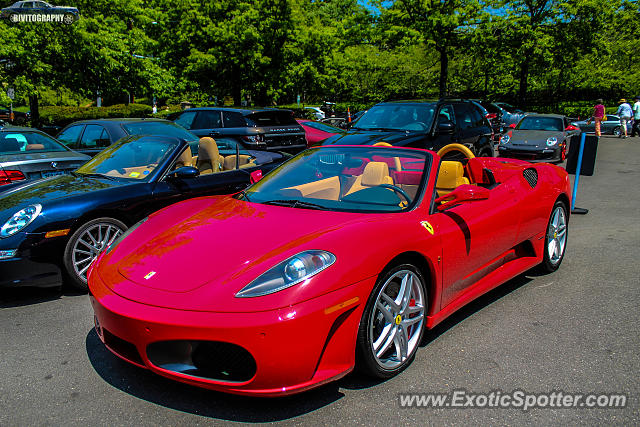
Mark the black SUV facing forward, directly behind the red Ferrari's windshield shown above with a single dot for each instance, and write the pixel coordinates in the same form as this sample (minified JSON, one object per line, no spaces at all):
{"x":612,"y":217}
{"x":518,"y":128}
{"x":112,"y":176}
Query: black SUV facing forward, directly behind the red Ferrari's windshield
{"x":422,"y":124}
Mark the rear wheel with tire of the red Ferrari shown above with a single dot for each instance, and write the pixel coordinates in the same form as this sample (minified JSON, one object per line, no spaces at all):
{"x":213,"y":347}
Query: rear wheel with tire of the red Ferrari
{"x":555,"y":241}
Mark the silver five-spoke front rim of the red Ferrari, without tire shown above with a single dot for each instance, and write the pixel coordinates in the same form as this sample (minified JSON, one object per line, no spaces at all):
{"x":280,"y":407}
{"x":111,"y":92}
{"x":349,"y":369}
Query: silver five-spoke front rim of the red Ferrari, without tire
{"x":397,"y":319}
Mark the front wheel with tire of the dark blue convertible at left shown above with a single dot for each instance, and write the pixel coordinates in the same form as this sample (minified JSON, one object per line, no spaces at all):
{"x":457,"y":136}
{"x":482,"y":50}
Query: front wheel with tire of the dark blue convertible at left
{"x":84,"y":246}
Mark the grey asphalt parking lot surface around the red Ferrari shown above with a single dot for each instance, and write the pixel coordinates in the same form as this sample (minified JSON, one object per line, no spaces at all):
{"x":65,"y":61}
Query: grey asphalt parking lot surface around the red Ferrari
{"x":574,"y":331}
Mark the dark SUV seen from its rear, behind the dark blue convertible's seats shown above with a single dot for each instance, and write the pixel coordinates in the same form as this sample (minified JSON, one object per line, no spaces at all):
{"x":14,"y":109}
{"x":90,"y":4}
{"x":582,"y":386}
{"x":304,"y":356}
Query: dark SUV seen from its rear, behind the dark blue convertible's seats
{"x":267,"y":128}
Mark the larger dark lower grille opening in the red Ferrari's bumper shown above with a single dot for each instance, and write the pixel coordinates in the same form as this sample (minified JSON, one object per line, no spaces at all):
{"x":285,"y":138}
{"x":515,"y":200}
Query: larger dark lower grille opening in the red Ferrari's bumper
{"x":214,"y":360}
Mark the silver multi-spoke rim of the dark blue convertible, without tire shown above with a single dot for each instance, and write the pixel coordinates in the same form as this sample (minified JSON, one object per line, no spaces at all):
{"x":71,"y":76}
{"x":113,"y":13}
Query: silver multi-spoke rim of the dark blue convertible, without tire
{"x":89,"y":244}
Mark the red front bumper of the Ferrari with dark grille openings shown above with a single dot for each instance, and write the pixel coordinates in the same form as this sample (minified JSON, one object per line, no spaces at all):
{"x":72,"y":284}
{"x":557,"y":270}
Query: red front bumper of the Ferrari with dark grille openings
{"x":293,"y":348}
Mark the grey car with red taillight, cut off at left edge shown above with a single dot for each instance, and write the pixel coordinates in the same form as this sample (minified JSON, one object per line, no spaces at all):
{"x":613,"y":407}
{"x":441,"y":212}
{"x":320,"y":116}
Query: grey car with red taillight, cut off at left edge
{"x":27,"y":153}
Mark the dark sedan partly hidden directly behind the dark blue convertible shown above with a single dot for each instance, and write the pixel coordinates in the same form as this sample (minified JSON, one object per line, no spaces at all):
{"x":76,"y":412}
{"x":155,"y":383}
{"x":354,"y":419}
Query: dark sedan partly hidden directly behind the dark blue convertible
{"x":92,"y":136}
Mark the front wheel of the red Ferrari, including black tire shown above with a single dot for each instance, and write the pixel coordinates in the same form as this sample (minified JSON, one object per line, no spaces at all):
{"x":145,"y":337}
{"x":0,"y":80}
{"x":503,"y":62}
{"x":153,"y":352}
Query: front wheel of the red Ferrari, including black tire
{"x":393,"y":322}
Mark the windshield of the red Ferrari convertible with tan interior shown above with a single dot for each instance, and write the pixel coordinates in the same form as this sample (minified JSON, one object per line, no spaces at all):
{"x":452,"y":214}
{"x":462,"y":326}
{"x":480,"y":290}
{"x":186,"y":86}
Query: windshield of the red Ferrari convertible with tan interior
{"x":350,"y":179}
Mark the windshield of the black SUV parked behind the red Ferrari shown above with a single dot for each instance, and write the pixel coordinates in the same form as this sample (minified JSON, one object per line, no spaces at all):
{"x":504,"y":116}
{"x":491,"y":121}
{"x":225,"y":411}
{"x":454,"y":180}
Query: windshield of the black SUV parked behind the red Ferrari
{"x":404,"y":117}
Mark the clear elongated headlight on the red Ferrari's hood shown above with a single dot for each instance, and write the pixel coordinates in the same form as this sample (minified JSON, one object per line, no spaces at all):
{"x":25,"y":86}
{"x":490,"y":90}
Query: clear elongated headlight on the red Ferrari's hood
{"x":289,"y":272}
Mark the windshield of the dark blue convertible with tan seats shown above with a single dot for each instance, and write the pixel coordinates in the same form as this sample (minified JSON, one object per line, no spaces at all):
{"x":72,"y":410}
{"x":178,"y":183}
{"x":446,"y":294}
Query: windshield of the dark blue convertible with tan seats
{"x":130,"y":158}
